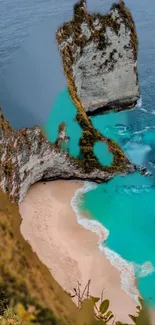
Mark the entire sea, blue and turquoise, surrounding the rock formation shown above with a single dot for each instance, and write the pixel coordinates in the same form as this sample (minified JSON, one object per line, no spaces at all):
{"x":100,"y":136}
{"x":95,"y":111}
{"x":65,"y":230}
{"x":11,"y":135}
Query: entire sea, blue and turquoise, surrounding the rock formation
{"x":32,"y":83}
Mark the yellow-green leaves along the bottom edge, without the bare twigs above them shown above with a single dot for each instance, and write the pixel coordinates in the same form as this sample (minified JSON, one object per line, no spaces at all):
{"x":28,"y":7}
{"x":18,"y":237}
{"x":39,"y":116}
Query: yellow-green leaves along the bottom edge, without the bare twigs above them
{"x":21,"y":316}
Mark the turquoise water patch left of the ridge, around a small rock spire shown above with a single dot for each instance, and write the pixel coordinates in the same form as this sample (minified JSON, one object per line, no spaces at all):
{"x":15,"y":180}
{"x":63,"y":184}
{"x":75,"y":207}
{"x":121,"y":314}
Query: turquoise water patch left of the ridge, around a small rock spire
{"x":64,"y":111}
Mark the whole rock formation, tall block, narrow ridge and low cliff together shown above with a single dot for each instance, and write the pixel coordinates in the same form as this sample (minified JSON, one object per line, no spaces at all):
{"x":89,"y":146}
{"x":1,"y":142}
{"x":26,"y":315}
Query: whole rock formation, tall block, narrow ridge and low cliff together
{"x":99,"y":58}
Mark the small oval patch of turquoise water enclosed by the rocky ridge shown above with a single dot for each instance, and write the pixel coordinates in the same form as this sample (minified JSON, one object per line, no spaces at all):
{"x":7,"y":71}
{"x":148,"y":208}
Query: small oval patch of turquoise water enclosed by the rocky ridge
{"x":102,"y":153}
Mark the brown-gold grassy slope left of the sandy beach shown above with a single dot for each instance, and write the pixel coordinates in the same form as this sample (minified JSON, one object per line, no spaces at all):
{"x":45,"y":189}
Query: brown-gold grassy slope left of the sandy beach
{"x":23,"y":278}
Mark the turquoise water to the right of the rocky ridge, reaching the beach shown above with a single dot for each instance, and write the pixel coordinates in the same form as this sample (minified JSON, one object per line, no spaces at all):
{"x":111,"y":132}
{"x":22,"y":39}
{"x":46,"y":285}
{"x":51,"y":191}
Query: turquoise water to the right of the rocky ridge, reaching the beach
{"x":125,"y":205}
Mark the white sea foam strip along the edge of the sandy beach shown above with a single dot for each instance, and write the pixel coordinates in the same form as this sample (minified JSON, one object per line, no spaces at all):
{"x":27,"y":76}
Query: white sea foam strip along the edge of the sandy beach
{"x":127,"y":269}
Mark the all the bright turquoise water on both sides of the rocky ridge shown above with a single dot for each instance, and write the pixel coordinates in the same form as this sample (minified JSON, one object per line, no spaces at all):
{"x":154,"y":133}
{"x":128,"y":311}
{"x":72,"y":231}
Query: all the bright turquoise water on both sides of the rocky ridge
{"x":124,"y":205}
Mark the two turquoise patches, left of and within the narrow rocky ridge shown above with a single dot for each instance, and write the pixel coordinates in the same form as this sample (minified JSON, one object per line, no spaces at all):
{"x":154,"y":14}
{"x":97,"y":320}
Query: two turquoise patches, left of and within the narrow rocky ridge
{"x":64,"y":111}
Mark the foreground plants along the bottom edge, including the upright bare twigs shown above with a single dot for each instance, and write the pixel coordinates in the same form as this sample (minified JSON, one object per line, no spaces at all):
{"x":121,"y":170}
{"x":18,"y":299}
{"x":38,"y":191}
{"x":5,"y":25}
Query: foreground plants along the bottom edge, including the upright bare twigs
{"x":91,"y":311}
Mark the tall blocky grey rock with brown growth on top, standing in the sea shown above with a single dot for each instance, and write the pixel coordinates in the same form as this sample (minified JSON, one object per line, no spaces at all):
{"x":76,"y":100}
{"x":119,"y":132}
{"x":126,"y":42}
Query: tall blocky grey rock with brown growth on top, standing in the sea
{"x":100,"y":58}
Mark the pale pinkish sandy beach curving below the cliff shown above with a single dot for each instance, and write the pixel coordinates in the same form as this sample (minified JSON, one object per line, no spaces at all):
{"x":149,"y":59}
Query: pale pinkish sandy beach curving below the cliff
{"x":70,"y":251}
